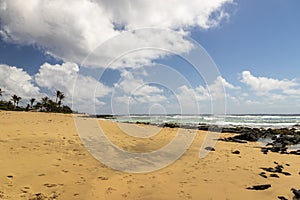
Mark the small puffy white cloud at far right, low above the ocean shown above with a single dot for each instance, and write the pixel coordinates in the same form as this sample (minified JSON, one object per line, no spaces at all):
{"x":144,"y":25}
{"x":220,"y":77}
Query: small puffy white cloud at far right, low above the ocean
{"x":264,"y":85}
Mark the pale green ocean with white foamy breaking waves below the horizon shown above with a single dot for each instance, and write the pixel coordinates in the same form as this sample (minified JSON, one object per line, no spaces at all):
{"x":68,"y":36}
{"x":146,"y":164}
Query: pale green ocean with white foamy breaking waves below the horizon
{"x":253,"y":121}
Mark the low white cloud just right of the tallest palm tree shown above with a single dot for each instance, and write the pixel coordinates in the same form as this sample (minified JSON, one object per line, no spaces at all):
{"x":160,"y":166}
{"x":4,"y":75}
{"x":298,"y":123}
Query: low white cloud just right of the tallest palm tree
{"x":86,"y":91}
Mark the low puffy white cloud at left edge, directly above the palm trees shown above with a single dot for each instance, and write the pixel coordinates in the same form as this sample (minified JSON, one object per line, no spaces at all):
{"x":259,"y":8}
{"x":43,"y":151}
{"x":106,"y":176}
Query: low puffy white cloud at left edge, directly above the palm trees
{"x":14,"y":80}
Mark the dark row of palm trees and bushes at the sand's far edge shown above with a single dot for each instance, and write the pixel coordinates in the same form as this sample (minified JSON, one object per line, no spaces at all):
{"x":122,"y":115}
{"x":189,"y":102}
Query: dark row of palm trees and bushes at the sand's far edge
{"x":44,"y":105}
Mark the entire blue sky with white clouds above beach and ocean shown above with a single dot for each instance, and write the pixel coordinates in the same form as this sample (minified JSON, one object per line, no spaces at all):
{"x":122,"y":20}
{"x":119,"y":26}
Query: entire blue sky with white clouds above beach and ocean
{"x":128,"y":57}
